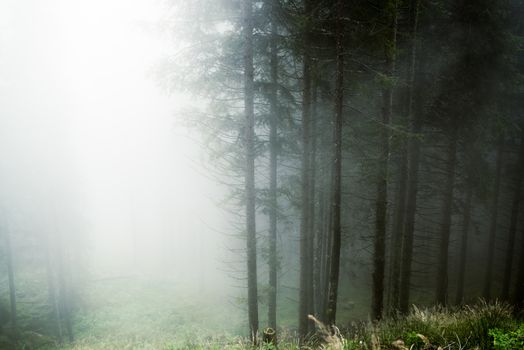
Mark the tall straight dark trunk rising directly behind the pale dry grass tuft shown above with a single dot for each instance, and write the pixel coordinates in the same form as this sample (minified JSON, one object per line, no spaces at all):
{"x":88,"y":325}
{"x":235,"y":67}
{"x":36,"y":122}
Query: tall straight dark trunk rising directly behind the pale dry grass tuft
{"x":331,"y":310}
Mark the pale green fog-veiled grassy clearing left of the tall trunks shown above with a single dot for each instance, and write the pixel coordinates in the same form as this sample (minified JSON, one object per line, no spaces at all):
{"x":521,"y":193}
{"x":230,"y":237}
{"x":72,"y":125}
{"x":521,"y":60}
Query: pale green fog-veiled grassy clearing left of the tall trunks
{"x":132,"y":313}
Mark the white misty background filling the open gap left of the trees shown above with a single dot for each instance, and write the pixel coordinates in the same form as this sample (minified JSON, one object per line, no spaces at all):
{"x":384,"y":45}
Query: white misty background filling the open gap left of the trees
{"x":92,"y":147}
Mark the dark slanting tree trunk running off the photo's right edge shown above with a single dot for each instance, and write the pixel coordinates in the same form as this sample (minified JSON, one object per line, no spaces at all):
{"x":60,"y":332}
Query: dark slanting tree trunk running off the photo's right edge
{"x":513,"y":222}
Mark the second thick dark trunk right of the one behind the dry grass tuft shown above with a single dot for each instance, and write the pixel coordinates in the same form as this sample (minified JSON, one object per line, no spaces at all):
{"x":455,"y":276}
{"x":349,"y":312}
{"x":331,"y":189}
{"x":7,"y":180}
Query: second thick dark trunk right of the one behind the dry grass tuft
{"x":413,"y":150}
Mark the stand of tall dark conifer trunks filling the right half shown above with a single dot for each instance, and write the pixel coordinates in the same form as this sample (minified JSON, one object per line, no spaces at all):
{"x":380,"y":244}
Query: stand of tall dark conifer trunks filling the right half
{"x":404,"y":91}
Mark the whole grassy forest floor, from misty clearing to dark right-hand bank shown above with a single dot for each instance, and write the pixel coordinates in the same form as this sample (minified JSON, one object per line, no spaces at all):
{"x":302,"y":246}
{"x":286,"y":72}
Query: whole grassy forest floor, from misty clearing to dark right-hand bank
{"x":120,"y":325}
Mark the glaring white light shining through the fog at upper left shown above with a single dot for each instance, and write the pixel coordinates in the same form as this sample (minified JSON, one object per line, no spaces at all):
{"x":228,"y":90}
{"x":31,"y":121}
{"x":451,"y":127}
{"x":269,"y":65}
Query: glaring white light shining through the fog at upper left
{"x":80,"y":71}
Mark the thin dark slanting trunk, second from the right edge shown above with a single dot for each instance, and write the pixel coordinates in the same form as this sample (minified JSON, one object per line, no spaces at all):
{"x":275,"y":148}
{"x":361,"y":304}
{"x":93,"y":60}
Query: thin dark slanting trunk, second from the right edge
{"x":493,"y":223}
